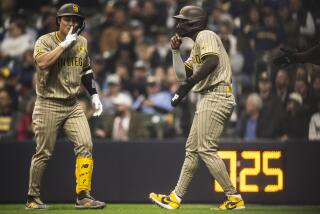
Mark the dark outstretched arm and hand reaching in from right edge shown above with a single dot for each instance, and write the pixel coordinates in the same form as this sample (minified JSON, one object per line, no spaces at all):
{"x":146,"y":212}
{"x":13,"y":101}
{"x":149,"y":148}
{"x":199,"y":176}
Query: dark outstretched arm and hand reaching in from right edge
{"x":289,"y":56}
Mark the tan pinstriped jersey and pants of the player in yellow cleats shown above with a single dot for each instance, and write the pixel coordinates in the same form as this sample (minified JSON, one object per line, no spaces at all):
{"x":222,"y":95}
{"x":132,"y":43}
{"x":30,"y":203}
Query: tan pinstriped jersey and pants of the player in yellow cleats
{"x":212,"y":113}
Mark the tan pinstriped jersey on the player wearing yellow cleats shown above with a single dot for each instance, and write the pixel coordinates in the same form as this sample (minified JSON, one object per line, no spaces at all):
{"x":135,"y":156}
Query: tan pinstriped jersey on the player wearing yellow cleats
{"x":209,"y":43}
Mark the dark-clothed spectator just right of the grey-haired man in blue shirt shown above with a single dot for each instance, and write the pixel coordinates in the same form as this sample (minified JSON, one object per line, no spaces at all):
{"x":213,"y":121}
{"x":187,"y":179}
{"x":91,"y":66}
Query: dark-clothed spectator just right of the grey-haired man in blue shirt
{"x":272,"y":111}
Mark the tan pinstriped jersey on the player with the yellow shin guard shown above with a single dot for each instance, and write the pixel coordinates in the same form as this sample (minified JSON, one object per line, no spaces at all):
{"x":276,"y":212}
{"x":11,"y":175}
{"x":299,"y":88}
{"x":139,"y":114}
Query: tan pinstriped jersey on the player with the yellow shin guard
{"x":62,"y":79}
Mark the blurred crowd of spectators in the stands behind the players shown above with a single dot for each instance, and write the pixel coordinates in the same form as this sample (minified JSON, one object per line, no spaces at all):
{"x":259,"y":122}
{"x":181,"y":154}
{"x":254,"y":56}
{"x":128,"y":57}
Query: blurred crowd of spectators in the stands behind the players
{"x":129,"y":47}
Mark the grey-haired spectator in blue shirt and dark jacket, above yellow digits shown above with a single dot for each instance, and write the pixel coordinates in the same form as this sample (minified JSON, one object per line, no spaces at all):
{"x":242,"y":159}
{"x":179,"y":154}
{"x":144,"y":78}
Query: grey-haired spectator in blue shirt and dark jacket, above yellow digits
{"x":247,"y":126}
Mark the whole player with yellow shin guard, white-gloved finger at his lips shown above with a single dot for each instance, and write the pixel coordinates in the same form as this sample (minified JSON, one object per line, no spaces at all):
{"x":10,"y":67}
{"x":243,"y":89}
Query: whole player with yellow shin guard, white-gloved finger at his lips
{"x":62,"y":64}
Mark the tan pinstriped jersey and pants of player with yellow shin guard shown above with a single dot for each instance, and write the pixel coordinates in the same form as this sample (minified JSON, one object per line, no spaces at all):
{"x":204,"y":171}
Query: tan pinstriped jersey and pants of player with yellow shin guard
{"x":56,"y":106}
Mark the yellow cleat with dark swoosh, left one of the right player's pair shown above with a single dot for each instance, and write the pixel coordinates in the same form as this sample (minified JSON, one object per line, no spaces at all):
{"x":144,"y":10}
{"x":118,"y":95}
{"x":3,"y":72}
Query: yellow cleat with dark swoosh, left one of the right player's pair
{"x":170,"y":202}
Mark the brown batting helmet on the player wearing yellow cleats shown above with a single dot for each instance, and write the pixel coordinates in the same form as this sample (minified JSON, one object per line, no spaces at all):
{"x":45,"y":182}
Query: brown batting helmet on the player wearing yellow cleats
{"x":191,"y":19}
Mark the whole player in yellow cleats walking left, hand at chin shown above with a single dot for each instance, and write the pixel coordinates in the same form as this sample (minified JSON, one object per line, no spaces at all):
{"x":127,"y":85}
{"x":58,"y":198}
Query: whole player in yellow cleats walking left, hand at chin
{"x":207,"y":71}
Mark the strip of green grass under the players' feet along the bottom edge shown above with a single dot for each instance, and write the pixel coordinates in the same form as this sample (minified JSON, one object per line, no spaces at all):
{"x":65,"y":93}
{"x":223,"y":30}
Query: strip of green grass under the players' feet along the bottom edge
{"x":153,"y":209}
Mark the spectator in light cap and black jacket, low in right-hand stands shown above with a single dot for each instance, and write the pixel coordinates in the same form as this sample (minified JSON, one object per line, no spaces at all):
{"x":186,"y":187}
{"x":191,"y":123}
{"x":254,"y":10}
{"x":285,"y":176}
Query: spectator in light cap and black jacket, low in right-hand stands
{"x":296,"y":122}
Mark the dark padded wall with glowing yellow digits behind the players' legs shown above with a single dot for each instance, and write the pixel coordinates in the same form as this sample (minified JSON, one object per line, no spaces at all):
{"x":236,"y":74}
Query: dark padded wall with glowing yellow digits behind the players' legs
{"x":264,"y":172}
